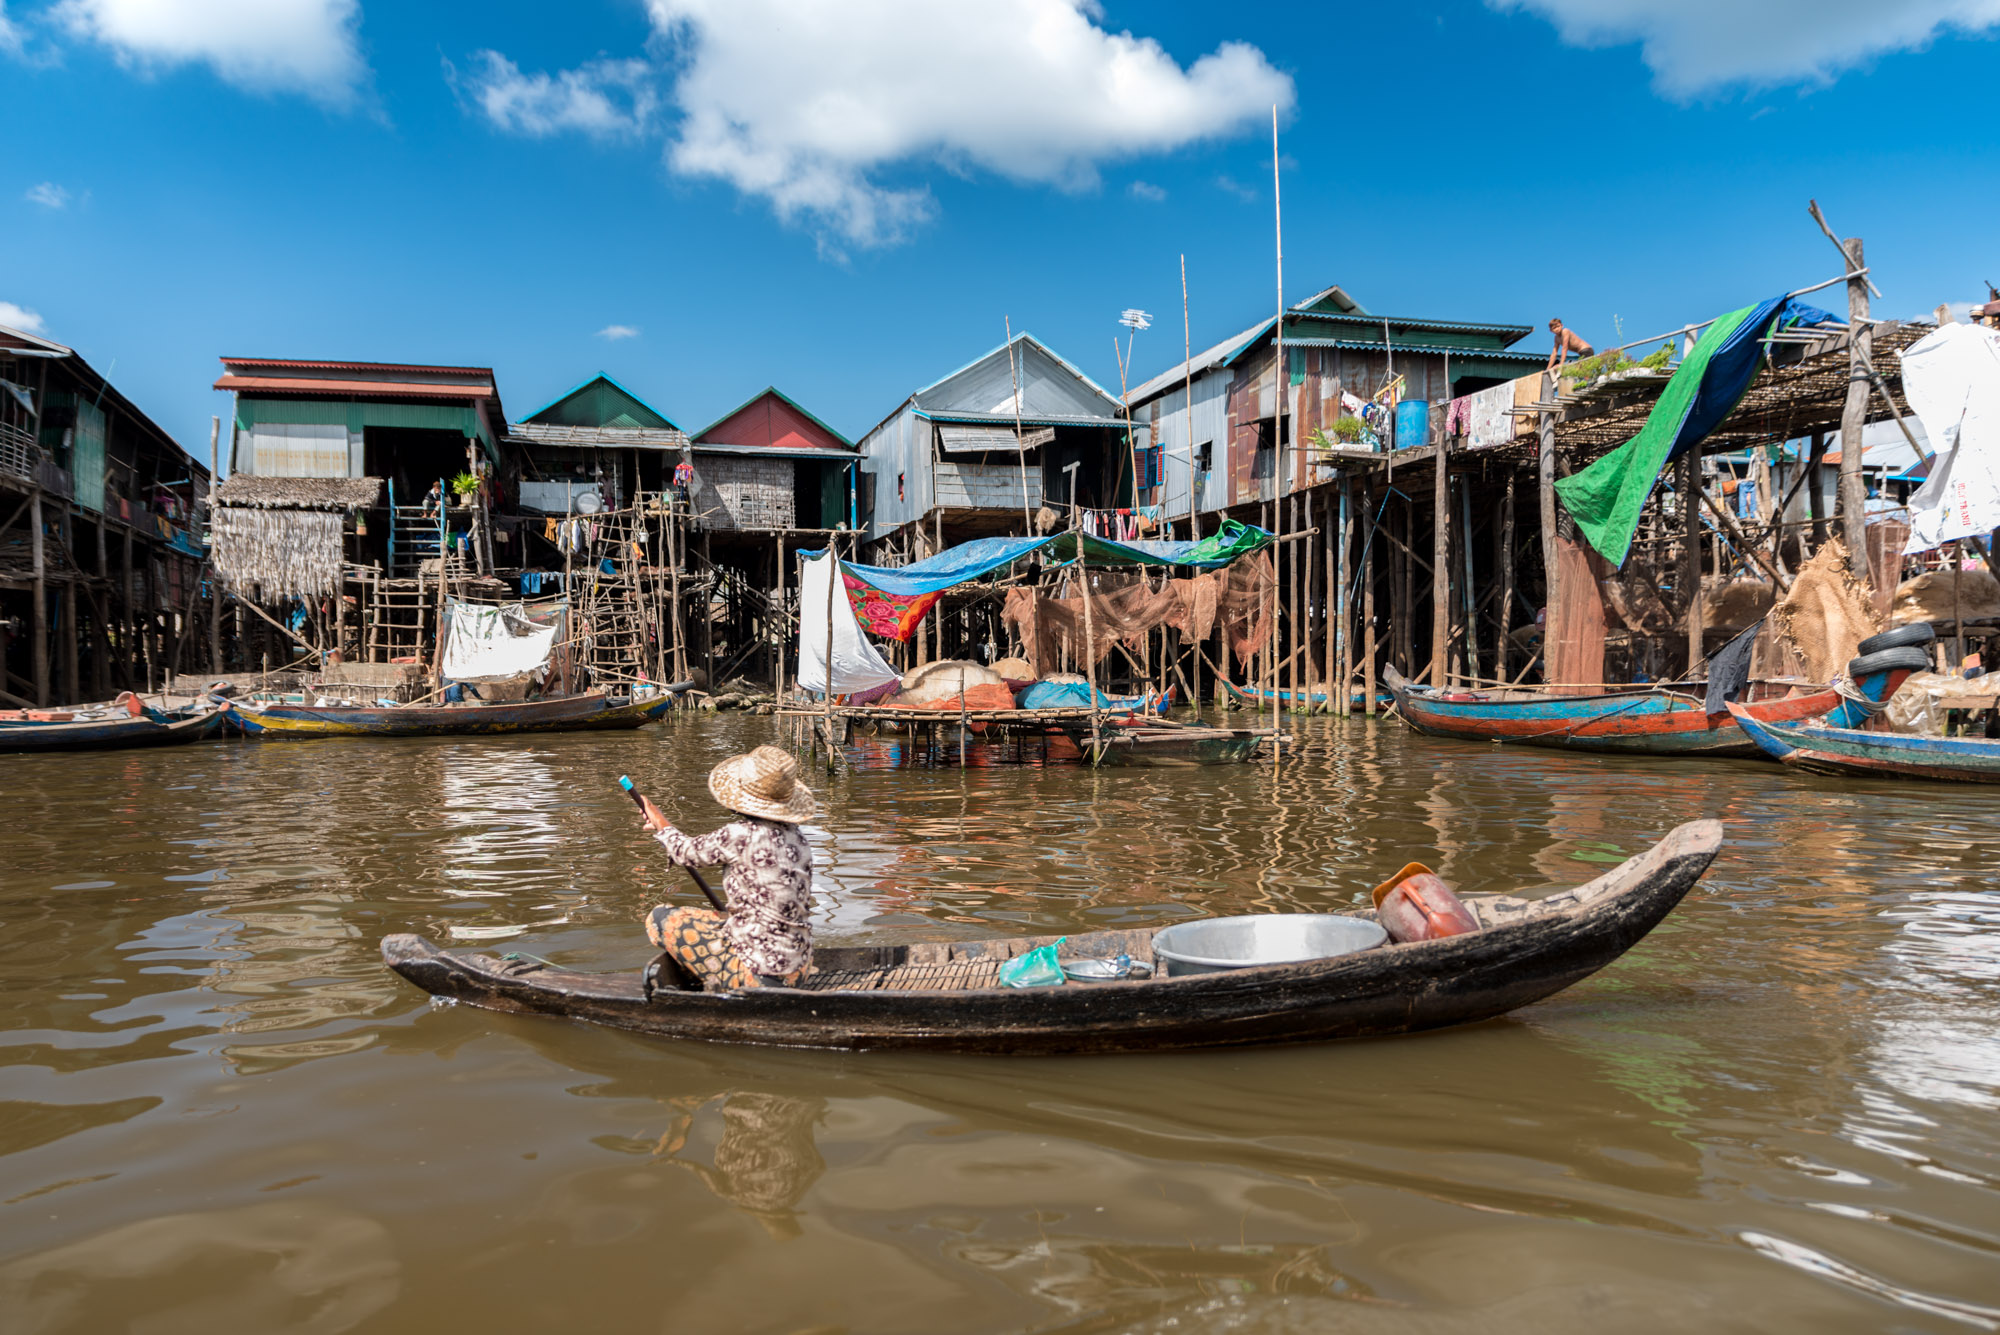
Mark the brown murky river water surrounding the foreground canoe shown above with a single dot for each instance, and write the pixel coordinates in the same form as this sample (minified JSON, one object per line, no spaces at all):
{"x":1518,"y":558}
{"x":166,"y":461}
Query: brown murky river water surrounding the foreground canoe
{"x":221,"y":1114}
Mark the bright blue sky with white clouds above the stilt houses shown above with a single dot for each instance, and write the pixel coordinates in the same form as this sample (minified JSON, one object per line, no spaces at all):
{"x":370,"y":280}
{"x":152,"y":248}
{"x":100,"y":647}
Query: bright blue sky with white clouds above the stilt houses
{"x":707,"y":197}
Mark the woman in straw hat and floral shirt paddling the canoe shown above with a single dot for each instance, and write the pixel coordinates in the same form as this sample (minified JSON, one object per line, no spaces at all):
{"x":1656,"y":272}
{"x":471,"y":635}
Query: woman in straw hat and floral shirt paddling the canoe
{"x":767,"y":938}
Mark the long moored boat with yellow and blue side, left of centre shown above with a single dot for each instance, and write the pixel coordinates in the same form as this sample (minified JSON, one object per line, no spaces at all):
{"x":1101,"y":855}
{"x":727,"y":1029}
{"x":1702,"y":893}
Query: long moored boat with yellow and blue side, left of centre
{"x":559,"y":714}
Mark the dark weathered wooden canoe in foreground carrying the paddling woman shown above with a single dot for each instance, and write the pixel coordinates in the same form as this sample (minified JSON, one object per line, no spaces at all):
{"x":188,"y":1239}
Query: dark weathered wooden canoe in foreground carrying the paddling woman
{"x":947,"y":998}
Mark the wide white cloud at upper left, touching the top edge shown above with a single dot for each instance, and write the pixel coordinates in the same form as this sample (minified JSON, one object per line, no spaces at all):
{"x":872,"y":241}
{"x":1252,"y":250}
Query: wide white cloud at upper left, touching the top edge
{"x":307,"y":47}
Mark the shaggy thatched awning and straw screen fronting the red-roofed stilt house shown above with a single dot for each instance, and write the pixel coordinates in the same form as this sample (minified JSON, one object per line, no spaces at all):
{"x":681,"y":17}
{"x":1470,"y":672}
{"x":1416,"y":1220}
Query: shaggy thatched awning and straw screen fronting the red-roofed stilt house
{"x":281,"y":537}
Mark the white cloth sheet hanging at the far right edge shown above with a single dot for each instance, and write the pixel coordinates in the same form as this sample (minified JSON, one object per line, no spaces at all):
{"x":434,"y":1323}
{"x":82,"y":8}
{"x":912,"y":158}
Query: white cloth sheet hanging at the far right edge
{"x":1953,"y":383}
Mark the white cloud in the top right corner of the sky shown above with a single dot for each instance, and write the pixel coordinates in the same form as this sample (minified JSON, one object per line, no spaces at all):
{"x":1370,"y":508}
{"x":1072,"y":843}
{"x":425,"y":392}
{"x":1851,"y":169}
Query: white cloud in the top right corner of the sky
{"x":1699,"y":47}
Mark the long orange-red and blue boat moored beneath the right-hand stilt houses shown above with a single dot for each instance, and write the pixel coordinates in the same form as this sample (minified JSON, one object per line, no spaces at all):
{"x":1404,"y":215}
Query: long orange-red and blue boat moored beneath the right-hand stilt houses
{"x":1667,"y":720}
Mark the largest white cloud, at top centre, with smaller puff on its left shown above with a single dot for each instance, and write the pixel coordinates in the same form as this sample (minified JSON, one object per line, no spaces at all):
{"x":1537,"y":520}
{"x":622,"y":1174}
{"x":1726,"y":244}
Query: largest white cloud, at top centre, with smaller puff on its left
{"x":817,"y":107}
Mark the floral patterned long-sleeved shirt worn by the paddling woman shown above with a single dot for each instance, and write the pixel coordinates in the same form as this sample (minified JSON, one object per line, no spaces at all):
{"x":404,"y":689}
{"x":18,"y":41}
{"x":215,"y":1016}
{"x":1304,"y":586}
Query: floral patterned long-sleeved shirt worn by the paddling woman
{"x":769,"y":888}
